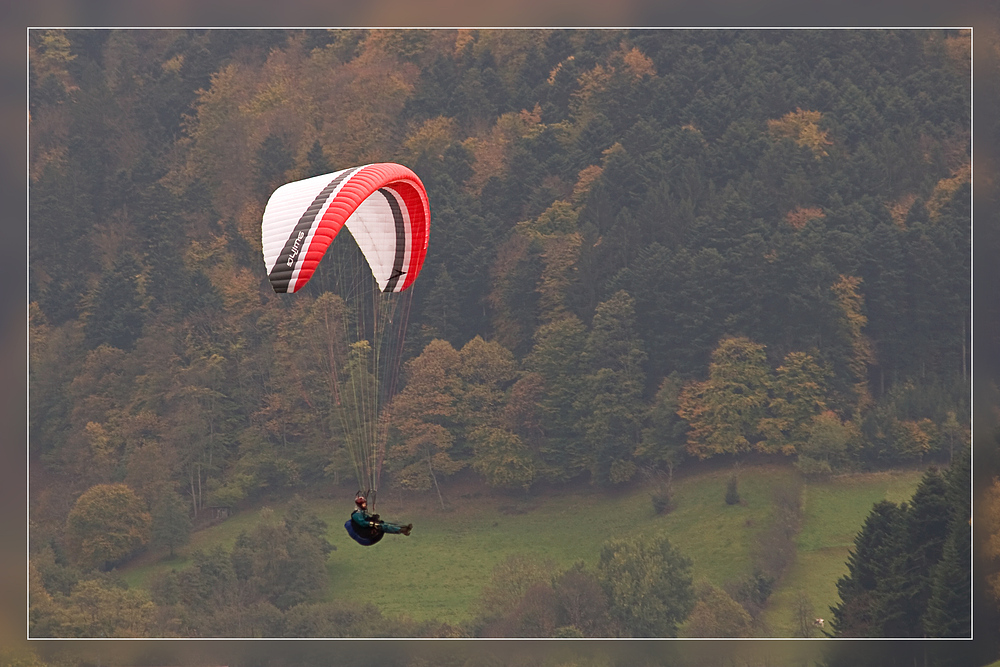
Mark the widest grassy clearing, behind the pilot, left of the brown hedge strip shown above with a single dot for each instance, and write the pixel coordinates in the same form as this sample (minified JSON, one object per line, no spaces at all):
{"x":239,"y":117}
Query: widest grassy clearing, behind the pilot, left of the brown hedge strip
{"x":439,"y":571}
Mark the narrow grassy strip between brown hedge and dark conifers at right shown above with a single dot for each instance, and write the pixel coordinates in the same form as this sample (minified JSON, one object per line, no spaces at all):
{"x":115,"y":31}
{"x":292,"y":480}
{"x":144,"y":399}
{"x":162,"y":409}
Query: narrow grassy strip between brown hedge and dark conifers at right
{"x":833,"y":512}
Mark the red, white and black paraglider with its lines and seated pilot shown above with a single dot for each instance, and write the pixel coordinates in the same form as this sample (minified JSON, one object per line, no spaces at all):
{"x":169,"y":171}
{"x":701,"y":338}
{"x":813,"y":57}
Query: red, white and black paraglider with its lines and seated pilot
{"x":385,"y":209}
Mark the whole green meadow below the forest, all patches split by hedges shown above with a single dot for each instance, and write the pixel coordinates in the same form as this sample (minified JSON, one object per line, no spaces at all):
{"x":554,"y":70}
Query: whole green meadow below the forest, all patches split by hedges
{"x":438,"y":572}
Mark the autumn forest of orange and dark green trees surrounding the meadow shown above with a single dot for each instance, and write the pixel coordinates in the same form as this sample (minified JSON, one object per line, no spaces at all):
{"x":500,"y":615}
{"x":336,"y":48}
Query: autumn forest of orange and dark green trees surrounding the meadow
{"x":650,"y":250}
